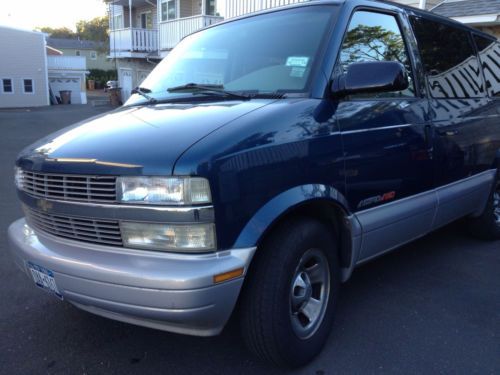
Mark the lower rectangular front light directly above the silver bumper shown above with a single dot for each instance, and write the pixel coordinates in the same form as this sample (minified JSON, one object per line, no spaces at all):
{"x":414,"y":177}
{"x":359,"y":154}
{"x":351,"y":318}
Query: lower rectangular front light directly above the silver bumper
{"x":168,"y":237}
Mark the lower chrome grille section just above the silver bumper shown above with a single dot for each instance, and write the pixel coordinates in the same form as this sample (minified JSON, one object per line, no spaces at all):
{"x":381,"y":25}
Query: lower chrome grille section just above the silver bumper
{"x":76,"y":228}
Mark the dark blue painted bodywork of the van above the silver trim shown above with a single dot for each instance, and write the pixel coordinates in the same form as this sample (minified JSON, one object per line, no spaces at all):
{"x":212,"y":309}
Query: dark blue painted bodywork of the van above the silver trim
{"x":265,"y":157}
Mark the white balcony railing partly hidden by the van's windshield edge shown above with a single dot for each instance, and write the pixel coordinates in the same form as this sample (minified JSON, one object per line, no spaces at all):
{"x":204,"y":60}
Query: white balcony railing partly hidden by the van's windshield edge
{"x":171,"y":32}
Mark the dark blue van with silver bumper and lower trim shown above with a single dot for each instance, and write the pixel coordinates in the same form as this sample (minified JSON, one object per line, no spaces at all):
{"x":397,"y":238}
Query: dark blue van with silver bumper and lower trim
{"x":259,"y":164}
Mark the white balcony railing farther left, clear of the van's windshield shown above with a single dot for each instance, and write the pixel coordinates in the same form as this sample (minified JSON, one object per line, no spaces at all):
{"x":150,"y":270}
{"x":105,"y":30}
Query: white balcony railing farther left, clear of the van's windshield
{"x":133,"y":40}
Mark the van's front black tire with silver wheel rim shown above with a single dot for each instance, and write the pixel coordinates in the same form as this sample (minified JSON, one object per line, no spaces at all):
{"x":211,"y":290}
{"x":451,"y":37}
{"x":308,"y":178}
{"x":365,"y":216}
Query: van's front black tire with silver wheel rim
{"x":269,"y":326}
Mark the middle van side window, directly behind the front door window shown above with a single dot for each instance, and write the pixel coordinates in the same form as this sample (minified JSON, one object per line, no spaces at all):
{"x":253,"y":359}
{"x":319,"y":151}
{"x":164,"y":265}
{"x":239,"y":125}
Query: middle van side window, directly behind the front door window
{"x":449,"y":60}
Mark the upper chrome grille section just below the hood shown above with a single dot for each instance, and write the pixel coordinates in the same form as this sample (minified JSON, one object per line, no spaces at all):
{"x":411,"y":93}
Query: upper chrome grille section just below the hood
{"x":69,"y":187}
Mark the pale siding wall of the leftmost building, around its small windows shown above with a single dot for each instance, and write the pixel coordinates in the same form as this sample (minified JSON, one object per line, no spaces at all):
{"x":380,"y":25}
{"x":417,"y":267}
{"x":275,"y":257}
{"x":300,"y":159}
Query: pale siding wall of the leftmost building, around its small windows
{"x":25,"y":58}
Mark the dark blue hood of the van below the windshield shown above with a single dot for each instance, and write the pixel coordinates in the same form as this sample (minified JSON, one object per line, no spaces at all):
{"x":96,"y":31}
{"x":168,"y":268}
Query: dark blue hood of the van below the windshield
{"x":145,"y":140}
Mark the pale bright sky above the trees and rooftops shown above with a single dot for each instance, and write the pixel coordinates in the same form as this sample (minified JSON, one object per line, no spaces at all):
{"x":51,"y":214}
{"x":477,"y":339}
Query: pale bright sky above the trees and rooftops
{"x":29,"y":14}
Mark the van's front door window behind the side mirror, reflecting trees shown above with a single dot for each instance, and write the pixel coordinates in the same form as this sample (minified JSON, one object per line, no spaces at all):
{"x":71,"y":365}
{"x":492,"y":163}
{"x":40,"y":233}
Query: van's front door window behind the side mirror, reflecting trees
{"x":376,"y":37}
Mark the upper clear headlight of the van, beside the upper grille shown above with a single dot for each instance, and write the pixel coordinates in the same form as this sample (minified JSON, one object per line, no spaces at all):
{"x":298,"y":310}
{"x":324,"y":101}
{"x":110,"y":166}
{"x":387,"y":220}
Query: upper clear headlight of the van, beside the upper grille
{"x":164,"y":190}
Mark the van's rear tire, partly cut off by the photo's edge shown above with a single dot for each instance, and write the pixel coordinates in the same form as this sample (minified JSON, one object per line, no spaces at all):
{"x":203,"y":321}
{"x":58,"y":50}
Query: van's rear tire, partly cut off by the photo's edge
{"x":487,"y":226}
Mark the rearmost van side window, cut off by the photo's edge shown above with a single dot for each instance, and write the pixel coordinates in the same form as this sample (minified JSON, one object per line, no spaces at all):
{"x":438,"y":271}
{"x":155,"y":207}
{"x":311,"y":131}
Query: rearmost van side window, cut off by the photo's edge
{"x":489,"y":55}
